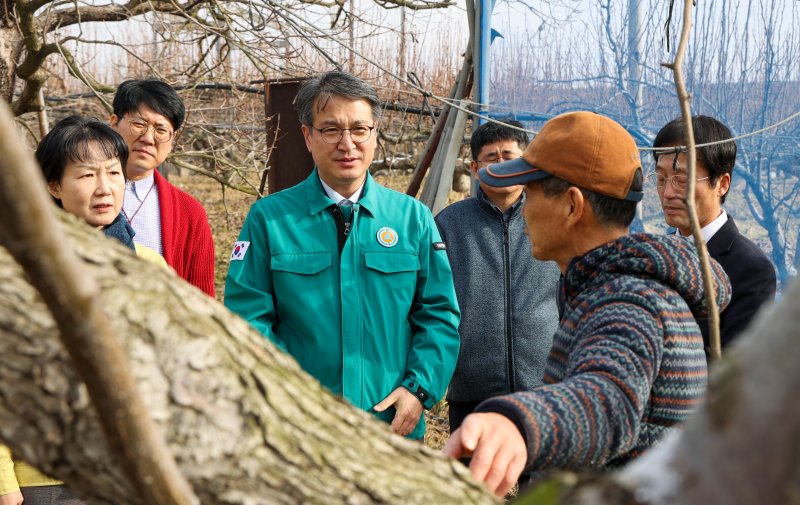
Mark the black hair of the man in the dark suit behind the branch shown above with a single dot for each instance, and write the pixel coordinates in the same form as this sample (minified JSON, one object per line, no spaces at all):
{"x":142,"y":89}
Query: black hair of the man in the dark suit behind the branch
{"x":718,"y":159}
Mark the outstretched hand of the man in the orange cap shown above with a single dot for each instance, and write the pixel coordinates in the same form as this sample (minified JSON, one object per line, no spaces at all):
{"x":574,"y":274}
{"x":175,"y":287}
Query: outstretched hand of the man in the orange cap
{"x":496,"y":447}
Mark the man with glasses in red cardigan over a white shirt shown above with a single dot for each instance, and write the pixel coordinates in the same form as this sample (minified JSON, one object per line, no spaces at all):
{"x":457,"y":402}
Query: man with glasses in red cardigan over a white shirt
{"x":148,"y":114}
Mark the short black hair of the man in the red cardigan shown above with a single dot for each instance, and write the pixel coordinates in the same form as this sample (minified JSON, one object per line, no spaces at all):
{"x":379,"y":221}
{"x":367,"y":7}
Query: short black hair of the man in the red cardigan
{"x":158,"y":95}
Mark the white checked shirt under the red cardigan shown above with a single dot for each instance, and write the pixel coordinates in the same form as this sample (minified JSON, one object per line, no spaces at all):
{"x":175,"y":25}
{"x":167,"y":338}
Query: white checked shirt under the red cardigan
{"x":143,"y":213}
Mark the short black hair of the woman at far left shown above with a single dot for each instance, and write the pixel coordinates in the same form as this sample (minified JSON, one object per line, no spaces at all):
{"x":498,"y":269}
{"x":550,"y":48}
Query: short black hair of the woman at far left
{"x":71,"y":141}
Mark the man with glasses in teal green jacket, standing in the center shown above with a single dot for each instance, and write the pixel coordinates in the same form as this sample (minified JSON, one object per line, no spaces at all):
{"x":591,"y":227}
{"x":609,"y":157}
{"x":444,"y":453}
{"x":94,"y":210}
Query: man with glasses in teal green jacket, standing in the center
{"x":349,"y":277}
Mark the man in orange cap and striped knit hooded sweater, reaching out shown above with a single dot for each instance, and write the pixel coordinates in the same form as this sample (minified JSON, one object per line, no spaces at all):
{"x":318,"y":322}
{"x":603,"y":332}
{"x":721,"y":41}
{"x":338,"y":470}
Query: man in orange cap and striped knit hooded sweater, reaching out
{"x":627,"y":362}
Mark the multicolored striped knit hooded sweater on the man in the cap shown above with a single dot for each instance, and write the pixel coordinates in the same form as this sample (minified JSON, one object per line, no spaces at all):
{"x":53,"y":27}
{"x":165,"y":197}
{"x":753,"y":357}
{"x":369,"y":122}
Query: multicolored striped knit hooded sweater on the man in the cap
{"x":627,"y":361}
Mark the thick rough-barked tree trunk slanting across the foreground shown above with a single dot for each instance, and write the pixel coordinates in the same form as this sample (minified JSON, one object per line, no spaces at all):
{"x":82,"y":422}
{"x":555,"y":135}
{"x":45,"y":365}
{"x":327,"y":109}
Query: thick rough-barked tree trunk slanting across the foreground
{"x":245,"y":424}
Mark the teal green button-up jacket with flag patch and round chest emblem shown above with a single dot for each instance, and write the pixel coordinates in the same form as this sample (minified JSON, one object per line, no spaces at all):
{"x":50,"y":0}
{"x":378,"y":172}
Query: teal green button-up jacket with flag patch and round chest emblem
{"x":382,"y":315}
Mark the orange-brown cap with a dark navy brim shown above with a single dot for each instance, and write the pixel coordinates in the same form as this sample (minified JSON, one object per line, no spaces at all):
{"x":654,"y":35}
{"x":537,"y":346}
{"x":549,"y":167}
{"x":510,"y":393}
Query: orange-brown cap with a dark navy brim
{"x":586,"y":149}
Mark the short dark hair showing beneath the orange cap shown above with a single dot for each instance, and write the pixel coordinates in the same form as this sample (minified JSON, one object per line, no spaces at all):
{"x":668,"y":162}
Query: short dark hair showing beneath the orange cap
{"x":608,"y":210}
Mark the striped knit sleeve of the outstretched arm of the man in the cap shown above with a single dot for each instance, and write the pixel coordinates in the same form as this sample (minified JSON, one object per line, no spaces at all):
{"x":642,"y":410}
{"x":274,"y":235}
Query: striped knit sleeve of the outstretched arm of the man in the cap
{"x":595,"y":414}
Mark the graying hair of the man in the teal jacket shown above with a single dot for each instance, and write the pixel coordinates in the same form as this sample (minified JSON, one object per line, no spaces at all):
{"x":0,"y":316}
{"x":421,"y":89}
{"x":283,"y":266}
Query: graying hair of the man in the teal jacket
{"x":318,"y":90}
